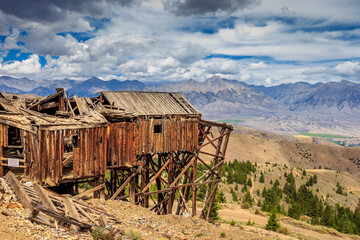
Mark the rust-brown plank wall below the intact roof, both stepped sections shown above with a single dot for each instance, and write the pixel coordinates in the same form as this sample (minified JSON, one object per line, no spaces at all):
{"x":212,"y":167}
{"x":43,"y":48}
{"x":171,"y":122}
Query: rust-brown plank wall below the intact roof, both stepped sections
{"x":127,"y":140}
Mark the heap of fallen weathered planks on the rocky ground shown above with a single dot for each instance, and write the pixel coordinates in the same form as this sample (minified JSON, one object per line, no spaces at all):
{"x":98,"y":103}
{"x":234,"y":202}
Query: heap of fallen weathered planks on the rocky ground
{"x":55,"y":211}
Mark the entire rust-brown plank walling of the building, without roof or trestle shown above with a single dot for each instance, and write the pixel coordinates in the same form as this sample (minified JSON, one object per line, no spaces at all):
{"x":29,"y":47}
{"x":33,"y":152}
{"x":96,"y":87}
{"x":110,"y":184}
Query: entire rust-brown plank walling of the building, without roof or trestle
{"x":114,"y":145}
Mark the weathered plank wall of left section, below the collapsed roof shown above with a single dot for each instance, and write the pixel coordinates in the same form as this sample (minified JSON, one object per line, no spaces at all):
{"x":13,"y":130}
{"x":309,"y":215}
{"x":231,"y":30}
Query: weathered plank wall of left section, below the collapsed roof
{"x":47,"y":154}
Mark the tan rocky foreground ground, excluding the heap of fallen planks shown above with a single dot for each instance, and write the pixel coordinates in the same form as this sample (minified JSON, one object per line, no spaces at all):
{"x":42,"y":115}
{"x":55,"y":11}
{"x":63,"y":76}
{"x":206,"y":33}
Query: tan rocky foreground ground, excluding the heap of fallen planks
{"x":135,"y":222}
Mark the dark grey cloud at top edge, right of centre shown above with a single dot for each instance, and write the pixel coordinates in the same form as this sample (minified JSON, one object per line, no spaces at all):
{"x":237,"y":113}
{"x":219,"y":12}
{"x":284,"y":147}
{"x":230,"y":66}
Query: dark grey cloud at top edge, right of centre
{"x":201,"y":7}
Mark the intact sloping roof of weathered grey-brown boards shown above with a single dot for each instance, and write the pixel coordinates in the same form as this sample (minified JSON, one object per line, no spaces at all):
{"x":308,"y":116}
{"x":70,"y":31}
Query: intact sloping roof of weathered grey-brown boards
{"x":150,"y":103}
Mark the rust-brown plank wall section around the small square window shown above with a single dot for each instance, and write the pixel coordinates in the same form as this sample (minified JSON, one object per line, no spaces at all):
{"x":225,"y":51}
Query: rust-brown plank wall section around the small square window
{"x":178,"y":134}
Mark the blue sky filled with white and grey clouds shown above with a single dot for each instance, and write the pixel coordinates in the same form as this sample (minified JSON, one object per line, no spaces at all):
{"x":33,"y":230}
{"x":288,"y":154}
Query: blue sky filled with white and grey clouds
{"x":259,"y":42}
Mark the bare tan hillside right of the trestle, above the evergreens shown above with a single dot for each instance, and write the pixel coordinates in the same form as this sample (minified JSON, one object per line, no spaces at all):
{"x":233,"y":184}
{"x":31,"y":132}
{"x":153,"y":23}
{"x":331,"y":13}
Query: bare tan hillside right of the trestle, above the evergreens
{"x":261,"y":147}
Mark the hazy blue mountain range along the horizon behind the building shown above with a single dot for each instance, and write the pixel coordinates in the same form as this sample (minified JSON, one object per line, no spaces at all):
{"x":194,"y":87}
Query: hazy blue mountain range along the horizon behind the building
{"x":218,"y":98}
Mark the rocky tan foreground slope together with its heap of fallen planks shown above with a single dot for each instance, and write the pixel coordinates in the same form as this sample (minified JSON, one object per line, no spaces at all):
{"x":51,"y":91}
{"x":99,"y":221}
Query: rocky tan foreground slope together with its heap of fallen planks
{"x":94,"y":218}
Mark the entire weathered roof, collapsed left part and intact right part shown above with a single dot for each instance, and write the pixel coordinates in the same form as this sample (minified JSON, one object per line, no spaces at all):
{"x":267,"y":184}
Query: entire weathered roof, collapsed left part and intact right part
{"x":29,"y":111}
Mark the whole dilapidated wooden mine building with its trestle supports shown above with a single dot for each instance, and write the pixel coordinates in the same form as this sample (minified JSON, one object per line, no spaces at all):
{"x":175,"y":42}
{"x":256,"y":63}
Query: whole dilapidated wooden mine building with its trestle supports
{"x":141,"y":146}
